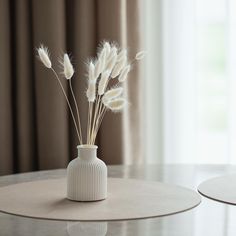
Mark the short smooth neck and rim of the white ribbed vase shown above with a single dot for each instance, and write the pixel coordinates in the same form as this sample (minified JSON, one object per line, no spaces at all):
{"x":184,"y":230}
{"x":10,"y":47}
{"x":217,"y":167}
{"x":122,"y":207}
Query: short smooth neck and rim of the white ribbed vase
{"x":87,"y":152}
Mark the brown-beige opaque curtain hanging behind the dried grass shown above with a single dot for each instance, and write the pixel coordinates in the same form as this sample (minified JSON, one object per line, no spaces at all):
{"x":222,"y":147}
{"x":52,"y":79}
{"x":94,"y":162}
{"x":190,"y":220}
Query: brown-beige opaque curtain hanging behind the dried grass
{"x":36,"y":131}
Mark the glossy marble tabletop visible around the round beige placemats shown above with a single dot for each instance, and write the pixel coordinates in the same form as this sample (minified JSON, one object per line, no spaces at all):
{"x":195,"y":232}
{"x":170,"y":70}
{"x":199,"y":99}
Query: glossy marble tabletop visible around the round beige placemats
{"x":209,"y":218}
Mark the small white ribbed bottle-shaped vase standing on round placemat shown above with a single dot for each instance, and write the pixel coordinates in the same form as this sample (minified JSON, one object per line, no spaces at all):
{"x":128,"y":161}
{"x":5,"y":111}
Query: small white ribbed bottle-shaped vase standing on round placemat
{"x":87,"y":176}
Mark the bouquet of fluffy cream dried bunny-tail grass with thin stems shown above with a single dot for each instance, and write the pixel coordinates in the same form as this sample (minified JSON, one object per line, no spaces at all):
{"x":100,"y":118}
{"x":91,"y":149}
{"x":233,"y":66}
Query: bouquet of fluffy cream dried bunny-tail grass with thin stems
{"x":110,"y":63}
